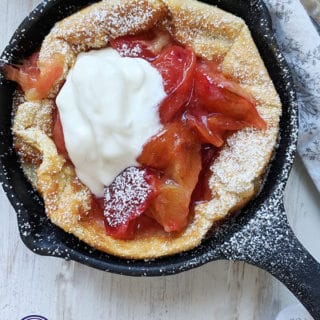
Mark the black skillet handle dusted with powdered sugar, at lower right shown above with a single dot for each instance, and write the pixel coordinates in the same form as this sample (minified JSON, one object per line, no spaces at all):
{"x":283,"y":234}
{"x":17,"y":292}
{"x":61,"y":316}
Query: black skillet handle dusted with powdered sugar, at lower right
{"x":292,"y":264}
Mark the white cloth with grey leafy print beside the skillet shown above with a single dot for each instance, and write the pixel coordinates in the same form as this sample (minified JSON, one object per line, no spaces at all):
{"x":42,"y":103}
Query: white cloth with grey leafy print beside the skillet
{"x":300,"y":44}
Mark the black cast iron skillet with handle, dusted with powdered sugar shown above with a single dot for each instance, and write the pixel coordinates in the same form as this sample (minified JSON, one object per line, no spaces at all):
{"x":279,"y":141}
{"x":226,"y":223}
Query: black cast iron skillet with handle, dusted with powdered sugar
{"x":260,"y":235}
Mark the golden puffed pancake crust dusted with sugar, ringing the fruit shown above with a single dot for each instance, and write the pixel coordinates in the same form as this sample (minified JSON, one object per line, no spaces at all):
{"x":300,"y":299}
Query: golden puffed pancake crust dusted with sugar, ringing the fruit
{"x":236,"y":173}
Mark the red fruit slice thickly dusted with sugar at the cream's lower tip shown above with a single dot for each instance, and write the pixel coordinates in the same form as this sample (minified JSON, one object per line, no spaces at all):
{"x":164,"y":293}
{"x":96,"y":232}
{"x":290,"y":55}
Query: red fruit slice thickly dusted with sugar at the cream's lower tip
{"x":127,"y":198}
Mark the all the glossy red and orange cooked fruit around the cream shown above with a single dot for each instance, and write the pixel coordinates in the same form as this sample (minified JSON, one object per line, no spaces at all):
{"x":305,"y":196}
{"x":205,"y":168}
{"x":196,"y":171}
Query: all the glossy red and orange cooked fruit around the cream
{"x":201,"y":109}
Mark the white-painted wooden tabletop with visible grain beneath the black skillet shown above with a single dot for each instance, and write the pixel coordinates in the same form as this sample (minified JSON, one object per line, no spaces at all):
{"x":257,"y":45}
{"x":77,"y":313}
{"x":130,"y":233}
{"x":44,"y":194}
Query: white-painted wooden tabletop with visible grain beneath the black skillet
{"x":57,"y":289}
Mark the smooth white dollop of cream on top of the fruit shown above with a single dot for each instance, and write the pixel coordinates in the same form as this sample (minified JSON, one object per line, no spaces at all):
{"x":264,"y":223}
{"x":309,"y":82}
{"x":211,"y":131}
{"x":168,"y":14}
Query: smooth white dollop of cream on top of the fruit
{"x":109,"y":109}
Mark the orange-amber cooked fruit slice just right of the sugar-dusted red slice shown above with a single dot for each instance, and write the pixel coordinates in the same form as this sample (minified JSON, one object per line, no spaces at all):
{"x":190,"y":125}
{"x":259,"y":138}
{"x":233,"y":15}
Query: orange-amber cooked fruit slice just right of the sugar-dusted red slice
{"x":175,"y":153}
